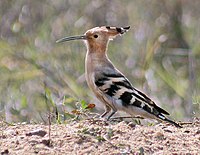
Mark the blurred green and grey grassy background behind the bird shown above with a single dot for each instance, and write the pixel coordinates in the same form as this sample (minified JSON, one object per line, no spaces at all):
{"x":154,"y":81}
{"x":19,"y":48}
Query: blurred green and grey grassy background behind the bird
{"x":160,"y":54}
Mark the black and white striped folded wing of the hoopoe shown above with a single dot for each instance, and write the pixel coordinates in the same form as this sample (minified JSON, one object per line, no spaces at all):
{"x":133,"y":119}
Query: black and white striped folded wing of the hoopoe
{"x":118,"y":87}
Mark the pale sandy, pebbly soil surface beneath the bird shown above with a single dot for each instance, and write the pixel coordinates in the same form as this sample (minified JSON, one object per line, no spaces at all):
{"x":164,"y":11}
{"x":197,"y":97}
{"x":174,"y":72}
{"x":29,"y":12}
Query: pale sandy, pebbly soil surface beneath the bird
{"x":100,"y":137}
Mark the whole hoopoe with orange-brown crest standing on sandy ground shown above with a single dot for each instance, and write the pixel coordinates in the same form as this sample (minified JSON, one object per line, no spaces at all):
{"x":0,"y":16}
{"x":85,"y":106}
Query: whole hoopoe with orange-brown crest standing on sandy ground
{"x":109,"y":85}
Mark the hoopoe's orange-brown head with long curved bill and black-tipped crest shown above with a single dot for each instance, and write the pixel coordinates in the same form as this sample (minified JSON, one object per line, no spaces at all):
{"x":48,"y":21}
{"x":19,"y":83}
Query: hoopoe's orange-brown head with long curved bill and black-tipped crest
{"x":98,"y":37}
